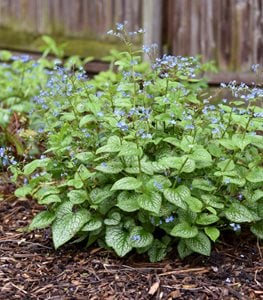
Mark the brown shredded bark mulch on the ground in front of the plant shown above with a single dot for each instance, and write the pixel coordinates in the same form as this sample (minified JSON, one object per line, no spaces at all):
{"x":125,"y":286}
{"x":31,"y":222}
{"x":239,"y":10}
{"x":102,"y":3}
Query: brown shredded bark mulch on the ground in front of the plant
{"x":31,"y":269}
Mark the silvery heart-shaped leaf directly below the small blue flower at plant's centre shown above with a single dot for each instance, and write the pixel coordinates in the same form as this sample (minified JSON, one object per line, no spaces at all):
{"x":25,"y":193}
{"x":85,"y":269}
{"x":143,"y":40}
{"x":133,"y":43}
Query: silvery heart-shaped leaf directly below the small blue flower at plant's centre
{"x":150,"y":201}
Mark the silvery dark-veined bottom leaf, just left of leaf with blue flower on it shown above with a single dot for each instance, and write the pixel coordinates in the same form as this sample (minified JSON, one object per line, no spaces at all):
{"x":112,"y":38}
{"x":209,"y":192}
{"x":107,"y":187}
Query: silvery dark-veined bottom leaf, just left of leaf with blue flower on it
{"x":119,"y":239}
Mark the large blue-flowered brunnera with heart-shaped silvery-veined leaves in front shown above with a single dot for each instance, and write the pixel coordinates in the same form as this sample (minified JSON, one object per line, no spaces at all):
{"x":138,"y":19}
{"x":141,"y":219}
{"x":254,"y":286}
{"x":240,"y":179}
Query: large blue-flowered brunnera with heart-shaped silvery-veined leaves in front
{"x":136,"y":159}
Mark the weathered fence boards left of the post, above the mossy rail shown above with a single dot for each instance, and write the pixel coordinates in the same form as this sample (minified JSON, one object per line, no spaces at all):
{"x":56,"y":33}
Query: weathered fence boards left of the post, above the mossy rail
{"x":67,"y":17}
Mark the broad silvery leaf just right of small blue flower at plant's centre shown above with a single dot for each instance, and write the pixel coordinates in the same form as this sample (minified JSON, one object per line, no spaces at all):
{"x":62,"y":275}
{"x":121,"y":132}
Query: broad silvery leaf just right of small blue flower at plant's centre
{"x":177,"y":196}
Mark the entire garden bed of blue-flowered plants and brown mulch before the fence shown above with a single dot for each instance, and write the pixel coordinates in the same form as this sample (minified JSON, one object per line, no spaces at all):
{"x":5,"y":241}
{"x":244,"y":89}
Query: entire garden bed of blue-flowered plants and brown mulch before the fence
{"x":141,"y":167}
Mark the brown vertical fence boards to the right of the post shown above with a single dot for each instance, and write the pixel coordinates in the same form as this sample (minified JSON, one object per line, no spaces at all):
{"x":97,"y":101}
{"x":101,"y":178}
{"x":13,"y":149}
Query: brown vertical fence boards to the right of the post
{"x":228,"y":31}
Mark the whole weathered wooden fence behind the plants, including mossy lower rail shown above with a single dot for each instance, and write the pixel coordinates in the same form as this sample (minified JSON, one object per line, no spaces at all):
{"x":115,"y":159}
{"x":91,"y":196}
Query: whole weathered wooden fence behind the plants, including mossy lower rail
{"x":228,"y":31}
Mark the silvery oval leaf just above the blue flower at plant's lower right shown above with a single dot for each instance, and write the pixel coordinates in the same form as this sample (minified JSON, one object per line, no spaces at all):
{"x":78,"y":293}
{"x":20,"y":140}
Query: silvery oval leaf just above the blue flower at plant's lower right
{"x":238,"y":213}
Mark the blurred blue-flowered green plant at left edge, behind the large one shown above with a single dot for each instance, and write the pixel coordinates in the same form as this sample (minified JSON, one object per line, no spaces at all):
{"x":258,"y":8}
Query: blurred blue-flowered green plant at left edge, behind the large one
{"x":21,"y":113}
